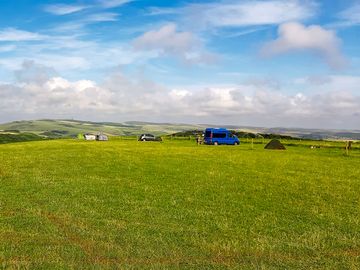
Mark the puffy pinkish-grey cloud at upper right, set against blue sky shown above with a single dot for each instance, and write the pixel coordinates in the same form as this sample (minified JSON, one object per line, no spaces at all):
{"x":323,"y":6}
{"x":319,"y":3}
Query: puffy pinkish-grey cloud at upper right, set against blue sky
{"x":295,"y":37}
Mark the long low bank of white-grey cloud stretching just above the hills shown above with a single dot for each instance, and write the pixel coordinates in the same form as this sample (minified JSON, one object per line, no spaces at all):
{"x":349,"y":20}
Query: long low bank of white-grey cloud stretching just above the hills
{"x":39,"y":93}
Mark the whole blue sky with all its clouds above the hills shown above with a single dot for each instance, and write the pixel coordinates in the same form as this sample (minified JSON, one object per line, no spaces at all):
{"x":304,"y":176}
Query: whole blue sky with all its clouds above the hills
{"x":271,"y":63}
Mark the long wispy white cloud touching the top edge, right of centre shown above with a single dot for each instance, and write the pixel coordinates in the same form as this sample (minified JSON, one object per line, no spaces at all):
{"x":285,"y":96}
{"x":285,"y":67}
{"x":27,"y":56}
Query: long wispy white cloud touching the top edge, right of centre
{"x":232,"y":13}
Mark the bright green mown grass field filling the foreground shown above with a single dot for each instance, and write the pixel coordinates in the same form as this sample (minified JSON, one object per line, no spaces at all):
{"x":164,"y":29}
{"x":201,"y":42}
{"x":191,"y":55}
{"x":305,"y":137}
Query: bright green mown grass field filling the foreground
{"x":130,"y":205}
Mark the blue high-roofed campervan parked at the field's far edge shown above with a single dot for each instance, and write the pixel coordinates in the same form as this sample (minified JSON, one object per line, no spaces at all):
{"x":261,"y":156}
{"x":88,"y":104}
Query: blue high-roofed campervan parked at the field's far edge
{"x":218,"y":136}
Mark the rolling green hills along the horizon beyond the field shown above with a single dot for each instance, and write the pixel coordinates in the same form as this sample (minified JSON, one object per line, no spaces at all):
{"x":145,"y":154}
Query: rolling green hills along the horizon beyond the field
{"x":65,"y":128}
